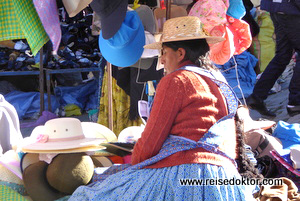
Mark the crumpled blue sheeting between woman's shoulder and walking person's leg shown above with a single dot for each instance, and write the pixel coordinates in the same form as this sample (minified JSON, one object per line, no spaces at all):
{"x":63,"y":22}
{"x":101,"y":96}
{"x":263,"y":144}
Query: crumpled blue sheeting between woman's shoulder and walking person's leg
{"x":246,"y":74}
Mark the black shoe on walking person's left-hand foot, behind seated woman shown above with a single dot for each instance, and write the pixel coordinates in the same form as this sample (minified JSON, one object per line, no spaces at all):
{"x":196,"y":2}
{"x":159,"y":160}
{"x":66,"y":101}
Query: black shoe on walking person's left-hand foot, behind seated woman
{"x":259,"y":105}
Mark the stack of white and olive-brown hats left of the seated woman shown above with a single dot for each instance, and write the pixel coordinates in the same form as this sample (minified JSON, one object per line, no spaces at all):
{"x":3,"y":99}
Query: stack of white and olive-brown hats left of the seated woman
{"x":55,"y":160}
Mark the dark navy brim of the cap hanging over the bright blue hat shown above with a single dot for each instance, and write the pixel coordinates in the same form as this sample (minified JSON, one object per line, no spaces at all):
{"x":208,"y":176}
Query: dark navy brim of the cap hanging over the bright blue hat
{"x":115,"y":18}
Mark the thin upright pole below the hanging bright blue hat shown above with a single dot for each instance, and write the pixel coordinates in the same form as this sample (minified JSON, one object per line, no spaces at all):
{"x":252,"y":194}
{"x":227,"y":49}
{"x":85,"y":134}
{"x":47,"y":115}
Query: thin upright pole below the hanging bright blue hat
{"x":109,"y":94}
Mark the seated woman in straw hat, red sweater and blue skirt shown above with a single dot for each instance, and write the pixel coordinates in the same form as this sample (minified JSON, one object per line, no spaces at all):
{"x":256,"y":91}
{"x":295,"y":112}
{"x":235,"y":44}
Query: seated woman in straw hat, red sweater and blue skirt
{"x":190,"y":133}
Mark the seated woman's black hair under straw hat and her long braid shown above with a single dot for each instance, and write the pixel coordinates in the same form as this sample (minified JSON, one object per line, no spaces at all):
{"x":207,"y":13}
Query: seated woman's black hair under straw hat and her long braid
{"x":197,"y":51}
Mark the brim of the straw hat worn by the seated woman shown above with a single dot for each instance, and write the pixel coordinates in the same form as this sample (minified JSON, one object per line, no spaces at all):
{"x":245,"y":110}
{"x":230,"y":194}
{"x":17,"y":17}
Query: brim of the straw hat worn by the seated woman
{"x":209,"y":40}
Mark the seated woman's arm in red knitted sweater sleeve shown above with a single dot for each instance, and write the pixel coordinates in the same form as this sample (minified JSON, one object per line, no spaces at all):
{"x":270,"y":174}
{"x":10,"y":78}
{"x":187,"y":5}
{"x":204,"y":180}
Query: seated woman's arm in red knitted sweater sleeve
{"x":166,"y":105}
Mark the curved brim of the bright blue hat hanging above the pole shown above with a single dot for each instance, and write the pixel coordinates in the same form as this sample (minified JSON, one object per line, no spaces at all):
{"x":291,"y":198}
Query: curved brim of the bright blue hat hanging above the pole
{"x":126,"y":56}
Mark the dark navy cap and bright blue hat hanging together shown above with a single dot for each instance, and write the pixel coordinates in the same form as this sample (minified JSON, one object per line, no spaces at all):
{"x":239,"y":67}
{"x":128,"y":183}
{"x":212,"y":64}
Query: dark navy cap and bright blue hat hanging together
{"x":120,"y":44}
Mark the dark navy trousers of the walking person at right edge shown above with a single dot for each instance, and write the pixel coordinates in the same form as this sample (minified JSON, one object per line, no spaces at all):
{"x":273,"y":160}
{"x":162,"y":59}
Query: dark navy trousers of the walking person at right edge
{"x":287,"y":31}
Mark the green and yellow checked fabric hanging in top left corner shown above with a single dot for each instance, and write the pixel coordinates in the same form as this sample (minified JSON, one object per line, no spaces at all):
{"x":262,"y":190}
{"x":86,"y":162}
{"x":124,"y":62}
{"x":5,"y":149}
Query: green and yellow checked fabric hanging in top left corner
{"x":19,"y":20}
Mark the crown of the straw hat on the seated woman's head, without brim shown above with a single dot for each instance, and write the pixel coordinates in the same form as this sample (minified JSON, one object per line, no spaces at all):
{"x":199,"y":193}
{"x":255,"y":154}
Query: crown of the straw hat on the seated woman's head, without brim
{"x":182,"y":27}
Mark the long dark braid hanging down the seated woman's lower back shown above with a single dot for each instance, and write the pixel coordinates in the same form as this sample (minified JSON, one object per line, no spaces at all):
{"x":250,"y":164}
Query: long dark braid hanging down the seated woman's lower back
{"x":245,"y":167}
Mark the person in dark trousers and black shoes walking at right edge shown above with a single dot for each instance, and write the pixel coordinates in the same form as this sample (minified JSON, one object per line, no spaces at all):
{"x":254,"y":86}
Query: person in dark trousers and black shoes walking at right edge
{"x":285,"y":15}
